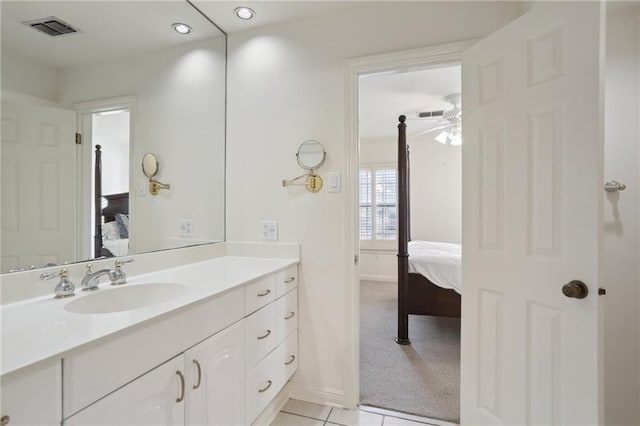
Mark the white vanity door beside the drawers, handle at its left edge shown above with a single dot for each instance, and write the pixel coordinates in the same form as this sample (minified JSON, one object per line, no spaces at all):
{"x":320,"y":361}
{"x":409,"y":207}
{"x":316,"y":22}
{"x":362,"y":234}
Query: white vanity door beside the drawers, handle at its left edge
{"x":216,"y":379}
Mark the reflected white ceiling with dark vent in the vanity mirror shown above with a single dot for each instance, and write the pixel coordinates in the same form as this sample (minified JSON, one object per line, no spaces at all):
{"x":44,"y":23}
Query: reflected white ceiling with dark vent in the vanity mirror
{"x":109,"y":29}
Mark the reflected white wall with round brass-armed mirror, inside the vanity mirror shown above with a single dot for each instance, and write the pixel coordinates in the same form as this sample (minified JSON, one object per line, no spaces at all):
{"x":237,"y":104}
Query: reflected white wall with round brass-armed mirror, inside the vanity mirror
{"x":179,"y":116}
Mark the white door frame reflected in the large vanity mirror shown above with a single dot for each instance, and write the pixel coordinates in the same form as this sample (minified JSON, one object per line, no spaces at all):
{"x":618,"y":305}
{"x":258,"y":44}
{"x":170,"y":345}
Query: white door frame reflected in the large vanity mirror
{"x":84,"y":155}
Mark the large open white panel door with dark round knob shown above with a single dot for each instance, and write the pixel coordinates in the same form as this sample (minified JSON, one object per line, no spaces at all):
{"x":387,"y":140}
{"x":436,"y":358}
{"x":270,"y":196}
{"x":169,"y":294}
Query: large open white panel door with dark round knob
{"x":532,"y":160}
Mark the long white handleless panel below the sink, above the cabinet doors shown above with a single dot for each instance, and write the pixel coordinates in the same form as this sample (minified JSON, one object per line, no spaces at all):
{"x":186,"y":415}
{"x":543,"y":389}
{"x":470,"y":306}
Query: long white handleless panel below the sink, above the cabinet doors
{"x":108,"y":363}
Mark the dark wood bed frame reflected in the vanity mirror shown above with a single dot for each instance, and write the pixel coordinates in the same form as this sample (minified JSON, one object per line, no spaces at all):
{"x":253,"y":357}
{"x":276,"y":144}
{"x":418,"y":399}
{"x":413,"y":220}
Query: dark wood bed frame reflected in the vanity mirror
{"x":116,"y":203}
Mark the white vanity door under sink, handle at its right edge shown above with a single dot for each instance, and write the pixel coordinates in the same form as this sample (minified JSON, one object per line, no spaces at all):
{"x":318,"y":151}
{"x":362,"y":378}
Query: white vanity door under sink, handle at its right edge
{"x":156,"y":398}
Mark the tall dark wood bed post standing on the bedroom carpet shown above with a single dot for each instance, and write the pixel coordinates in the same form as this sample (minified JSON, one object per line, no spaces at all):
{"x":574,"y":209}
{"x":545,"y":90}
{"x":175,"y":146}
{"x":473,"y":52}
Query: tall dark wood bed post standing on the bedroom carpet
{"x":403,"y":254}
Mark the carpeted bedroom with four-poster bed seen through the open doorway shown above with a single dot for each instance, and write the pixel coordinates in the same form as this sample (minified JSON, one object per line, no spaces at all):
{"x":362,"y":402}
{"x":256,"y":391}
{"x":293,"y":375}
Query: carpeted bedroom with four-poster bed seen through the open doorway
{"x":421,"y":375}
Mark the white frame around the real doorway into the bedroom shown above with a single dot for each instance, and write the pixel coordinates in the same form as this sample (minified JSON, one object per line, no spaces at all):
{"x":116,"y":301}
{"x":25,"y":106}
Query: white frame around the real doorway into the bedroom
{"x":405,"y":60}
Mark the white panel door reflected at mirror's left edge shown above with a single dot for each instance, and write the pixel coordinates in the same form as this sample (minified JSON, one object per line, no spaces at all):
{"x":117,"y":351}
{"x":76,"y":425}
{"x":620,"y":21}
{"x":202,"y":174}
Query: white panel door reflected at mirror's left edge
{"x":38,"y":185}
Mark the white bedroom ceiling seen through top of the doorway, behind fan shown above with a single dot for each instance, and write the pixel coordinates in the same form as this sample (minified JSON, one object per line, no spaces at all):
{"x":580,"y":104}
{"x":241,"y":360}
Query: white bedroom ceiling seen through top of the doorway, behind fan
{"x":384,"y":97}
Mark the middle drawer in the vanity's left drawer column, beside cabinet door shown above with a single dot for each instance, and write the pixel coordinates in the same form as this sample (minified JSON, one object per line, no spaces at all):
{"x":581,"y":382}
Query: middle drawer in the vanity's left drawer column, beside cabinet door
{"x":261,"y":334}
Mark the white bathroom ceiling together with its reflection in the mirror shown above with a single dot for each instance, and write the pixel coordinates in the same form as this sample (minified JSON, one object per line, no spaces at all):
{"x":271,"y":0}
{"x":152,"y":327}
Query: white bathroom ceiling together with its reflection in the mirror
{"x":119,"y":29}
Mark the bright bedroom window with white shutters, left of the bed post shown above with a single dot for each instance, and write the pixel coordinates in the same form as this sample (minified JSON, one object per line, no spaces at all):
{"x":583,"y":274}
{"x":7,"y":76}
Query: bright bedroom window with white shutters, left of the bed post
{"x":378,"y":205}
